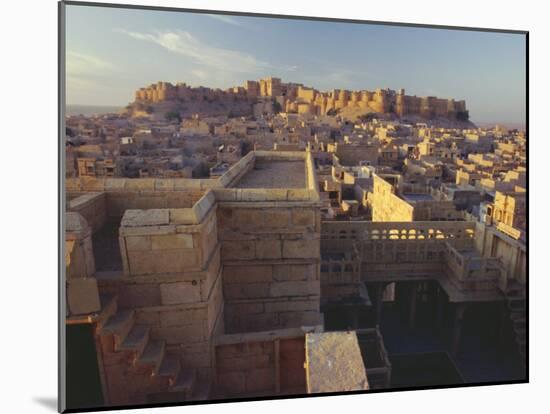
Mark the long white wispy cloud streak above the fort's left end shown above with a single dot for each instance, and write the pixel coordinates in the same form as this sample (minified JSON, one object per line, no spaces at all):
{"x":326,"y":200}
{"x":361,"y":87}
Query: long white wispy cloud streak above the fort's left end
{"x":183,"y":43}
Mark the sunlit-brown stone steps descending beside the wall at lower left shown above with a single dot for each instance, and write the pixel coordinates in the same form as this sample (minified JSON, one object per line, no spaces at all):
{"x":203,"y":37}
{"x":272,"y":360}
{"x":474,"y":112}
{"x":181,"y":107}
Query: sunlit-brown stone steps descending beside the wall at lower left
{"x":136,"y":366}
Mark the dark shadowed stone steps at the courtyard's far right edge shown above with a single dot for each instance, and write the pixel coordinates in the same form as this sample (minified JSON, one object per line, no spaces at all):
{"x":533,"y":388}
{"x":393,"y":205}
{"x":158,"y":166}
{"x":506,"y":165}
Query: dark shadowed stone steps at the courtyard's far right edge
{"x":516,"y":304}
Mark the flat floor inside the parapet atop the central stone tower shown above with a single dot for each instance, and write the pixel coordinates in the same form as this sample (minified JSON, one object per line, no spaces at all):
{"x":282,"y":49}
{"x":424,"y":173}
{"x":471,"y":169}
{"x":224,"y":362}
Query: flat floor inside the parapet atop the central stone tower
{"x":275,"y":174}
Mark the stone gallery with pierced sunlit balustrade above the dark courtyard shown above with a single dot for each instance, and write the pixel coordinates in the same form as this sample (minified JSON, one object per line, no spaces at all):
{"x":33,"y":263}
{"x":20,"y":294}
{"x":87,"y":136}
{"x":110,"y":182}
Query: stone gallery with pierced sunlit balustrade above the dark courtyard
{"x":414,"y":247}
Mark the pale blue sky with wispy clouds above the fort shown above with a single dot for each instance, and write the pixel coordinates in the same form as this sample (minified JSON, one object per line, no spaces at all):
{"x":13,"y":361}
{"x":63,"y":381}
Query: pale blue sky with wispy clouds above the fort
{"x":112,"y":52}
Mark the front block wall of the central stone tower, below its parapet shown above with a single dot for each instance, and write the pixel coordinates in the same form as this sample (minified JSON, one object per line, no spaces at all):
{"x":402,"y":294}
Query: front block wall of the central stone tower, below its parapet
{"x":270,"y":260}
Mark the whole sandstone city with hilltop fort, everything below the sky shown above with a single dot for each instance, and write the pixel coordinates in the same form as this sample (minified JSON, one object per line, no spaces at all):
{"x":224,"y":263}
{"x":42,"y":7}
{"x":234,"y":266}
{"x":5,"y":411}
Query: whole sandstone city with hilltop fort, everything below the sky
{"x":272,"y":239}
